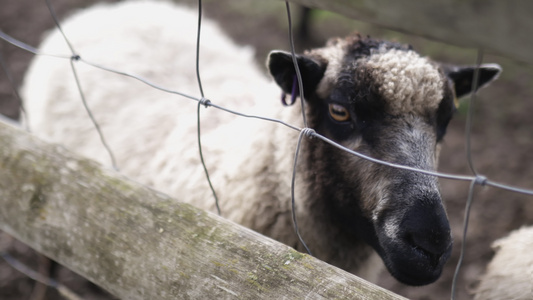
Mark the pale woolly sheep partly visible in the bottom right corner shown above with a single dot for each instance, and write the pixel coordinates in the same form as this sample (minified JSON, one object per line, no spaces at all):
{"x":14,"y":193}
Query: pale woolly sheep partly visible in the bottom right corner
{"x":509,"y":275}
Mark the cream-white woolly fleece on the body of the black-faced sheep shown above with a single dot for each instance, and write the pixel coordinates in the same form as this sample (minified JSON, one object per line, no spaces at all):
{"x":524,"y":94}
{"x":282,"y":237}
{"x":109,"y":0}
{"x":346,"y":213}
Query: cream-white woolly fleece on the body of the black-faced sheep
{"x":153,"y":134}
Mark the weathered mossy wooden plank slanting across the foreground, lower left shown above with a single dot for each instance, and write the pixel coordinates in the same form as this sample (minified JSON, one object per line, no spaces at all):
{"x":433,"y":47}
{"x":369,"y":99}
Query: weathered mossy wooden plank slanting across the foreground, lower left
{"x":141,"y":244}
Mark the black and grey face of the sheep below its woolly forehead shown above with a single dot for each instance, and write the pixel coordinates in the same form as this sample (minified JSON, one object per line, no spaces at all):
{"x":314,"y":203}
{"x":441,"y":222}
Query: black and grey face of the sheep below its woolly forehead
{"x":404,"y":221}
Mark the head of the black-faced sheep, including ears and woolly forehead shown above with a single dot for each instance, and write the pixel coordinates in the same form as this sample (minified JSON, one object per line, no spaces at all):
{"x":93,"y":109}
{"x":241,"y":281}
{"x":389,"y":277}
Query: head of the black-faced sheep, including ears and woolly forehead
{"x":384,"y":100}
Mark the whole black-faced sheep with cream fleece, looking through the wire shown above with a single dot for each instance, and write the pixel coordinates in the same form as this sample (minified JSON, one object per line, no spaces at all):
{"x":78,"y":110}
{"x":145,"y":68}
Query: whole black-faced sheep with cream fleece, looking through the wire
{"x":379,"y":98}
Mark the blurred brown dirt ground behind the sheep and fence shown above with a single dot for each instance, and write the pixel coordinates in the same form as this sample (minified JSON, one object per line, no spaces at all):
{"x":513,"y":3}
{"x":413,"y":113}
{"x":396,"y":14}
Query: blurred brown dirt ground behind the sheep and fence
{"x":502,"y":143}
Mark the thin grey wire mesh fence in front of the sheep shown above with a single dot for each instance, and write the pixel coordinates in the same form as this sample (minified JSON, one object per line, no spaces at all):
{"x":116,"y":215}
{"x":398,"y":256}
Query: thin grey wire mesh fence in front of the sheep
{"x":476,"y":179}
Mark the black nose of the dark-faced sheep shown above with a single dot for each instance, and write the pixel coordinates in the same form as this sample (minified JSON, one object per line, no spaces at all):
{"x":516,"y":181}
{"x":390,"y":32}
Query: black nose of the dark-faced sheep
{"x":426,"y":228}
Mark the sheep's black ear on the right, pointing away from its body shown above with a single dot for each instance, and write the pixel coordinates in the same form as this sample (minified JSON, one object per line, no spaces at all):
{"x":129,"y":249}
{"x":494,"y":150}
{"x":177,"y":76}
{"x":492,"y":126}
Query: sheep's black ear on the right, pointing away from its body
{"x":463,"y":77}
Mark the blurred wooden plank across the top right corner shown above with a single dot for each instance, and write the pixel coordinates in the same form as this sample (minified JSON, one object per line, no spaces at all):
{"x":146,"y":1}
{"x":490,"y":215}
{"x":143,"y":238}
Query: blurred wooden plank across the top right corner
{"x":499,"y":27}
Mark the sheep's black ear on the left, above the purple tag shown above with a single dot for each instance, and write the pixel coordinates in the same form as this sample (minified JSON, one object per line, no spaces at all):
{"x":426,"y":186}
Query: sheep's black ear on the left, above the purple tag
{"x":281,"y":67}
